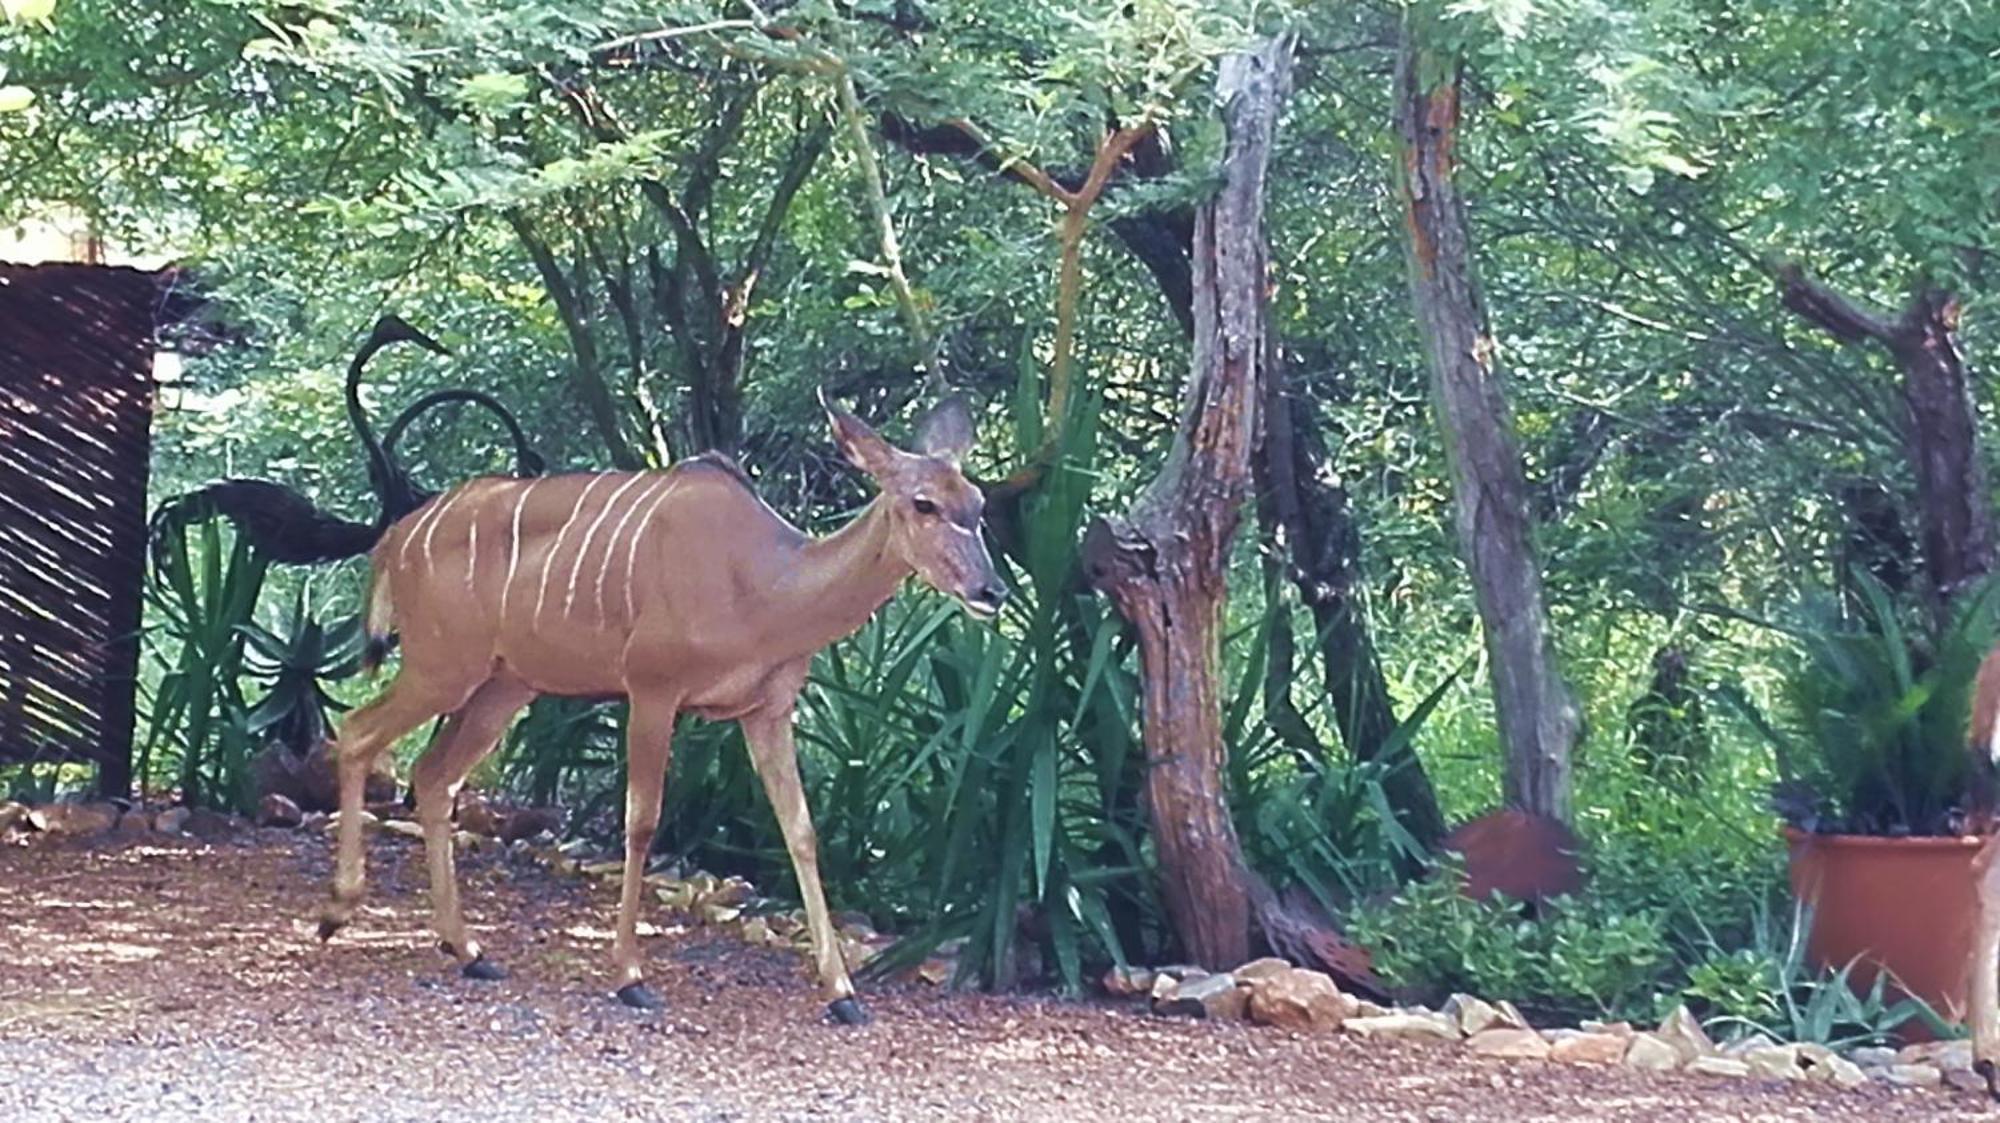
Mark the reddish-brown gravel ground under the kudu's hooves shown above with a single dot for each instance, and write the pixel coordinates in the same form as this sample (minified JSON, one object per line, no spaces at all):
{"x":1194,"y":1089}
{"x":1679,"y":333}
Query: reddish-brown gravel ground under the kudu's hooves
{"x":175,"y":980}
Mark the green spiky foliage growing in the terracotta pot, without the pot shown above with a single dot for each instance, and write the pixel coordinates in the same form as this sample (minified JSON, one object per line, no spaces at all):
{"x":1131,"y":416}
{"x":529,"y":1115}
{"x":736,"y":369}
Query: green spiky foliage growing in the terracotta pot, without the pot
{"x":1881,"y":706}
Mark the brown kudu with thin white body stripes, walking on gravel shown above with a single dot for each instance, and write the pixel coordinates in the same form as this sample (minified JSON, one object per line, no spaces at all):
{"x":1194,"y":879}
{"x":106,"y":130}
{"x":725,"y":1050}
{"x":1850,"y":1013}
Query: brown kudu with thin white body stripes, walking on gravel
{"x":677,"y":590}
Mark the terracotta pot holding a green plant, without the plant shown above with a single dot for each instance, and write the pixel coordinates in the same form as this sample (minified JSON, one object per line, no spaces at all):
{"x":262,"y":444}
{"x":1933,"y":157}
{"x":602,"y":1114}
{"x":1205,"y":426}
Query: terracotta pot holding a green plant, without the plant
{"x":1901,"y":906}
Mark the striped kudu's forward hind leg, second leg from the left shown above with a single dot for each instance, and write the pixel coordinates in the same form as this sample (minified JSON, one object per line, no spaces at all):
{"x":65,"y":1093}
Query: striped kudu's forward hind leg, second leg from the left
{"x":467,"y":738}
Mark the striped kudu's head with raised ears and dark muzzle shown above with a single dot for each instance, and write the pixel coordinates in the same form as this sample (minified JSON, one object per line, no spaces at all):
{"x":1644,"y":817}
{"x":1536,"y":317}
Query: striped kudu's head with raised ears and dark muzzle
{"x":933,"y":509}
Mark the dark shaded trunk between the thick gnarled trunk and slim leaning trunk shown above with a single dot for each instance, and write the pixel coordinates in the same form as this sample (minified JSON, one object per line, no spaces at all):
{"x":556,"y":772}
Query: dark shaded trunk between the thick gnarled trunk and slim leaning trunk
{"x":1315,"y":529}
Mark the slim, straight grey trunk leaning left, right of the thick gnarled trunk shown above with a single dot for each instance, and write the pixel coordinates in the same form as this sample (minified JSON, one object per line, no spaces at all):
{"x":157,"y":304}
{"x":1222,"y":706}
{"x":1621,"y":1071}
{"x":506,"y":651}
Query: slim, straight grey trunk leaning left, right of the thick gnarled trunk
{"x":1539,"y":722}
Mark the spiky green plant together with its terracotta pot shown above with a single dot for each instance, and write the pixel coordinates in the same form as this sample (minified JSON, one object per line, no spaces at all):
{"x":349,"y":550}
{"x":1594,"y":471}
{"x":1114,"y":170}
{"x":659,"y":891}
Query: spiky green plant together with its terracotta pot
{"x":1879,"y":790}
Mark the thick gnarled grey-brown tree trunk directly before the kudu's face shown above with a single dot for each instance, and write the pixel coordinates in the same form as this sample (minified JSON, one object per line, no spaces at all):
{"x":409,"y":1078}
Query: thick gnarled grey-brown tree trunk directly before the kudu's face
{"x":1165,"y":564}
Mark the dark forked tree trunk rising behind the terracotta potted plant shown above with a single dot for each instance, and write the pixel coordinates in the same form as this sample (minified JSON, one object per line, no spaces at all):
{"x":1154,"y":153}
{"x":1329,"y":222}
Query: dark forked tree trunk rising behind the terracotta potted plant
{"x":1939,"y":421}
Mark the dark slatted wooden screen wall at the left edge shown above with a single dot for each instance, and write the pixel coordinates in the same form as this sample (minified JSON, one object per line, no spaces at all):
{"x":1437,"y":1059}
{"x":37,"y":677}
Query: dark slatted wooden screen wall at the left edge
{"x":77,"y":347}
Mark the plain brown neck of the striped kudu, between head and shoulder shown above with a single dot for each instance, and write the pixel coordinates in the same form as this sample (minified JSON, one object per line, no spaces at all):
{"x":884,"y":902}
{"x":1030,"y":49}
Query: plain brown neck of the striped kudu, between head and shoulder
{"x":841,"y":580}
